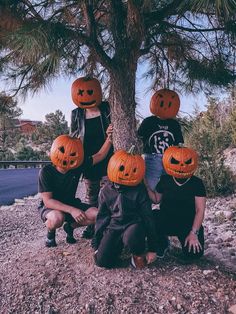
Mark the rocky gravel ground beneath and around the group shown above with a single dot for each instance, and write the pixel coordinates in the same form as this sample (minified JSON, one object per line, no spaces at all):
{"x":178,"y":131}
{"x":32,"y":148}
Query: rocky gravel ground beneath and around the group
{"x":34,"y":279}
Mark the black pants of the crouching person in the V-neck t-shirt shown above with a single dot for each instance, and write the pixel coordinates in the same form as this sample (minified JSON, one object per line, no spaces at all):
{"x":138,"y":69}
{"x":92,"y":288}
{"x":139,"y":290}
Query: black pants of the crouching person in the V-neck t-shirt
{"x":164,"y":230}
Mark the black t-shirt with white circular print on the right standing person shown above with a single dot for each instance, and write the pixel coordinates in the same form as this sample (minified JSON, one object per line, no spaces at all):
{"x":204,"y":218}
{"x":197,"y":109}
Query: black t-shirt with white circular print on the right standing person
{"x":158,"y":134}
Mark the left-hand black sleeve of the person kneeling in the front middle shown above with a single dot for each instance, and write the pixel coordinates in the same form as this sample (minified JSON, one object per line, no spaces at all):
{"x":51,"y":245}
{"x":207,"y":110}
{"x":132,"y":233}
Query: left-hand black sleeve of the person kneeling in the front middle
{"x":102,"y":220}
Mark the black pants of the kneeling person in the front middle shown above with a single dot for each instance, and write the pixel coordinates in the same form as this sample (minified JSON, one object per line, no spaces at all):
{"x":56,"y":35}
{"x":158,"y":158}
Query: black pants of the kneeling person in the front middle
{"x":113,"y":241}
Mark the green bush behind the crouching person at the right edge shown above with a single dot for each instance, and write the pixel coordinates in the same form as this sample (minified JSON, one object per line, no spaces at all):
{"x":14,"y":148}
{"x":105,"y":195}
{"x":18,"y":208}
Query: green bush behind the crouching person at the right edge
{"x":210,"y":136}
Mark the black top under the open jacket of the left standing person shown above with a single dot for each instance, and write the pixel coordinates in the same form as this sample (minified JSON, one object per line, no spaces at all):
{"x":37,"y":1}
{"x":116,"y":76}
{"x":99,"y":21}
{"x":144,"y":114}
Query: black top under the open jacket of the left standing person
{"x":94,"y":138}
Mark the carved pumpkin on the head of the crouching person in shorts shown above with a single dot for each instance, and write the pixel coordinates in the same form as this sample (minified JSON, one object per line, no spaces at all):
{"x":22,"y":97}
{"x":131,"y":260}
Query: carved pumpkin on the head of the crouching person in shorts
{"x":67,"y":152}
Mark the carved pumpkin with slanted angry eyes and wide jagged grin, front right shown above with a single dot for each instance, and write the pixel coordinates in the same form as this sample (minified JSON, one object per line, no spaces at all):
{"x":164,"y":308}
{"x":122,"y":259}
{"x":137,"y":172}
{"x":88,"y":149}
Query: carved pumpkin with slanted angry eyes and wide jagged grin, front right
{"x":180,"y":162}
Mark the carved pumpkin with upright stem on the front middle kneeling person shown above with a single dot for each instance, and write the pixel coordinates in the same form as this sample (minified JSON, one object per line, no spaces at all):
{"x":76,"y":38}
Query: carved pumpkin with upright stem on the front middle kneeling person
{"x":126,"y":168}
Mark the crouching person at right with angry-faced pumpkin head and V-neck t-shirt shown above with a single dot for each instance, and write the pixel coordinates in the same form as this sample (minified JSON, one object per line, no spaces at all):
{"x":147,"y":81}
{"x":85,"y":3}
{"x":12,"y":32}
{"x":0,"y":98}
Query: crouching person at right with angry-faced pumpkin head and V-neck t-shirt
{"x":182,"y":198}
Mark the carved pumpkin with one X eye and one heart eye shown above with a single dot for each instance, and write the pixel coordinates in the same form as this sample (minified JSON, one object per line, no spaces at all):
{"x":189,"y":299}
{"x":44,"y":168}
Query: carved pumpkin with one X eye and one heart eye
{"x":86,"y":92}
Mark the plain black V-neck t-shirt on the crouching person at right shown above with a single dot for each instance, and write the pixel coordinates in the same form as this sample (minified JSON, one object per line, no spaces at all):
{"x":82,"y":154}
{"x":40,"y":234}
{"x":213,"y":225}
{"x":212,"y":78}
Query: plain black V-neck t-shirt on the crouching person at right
{"x":177,"y":208}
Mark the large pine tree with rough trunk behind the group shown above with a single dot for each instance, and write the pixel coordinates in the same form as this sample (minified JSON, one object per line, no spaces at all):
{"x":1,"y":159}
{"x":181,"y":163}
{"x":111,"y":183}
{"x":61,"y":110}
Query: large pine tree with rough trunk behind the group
{"x":184,"y":45}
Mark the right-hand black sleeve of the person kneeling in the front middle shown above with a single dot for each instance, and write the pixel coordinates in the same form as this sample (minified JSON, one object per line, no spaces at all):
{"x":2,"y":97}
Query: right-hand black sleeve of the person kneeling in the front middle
{"x":148,"y":219}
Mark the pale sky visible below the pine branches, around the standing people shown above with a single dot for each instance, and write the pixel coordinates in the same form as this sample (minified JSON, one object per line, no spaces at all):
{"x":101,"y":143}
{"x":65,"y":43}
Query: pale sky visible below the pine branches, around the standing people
{"x":58,"y":96}
